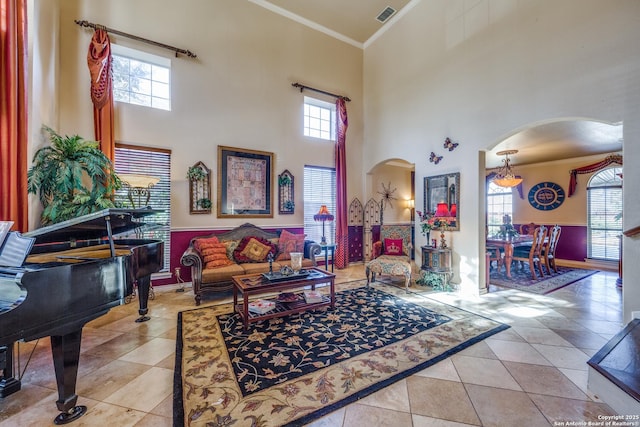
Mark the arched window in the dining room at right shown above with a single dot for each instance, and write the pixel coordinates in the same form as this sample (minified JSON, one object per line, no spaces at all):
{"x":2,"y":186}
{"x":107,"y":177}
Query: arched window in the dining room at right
{"x":604,"y":205}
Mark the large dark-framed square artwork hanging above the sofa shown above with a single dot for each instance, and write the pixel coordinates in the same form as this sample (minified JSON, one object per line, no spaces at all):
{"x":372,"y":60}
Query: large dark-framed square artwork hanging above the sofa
{"x":245,"y":180}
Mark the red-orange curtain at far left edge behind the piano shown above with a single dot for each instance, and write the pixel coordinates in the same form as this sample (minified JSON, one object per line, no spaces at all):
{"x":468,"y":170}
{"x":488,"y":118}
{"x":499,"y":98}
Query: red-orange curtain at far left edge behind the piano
{"x":13,"y":113}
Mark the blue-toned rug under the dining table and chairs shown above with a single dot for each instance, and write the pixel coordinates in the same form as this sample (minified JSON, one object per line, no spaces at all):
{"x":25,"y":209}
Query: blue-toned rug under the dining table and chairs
{"x":522,"y":281}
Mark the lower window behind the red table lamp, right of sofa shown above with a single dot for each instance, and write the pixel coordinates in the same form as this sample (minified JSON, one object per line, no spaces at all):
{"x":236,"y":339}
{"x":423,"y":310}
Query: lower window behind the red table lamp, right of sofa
{"x":319,"y":189}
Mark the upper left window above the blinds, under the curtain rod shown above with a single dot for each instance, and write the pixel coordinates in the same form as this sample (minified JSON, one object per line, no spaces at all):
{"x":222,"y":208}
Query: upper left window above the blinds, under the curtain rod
{"x":141,"y":78}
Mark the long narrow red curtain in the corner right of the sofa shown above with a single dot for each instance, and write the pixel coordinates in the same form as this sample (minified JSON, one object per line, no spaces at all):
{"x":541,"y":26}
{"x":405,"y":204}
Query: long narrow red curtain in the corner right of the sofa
{"x":342,"y":231}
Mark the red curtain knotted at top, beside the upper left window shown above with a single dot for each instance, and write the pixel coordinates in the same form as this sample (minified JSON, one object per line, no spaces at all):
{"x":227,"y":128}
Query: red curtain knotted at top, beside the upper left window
{"x":99,"y":61}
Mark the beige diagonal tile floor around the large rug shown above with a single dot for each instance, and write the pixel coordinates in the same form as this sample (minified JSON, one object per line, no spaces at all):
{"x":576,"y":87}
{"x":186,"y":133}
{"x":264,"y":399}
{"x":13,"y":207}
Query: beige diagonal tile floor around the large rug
{"x":533,"y":374}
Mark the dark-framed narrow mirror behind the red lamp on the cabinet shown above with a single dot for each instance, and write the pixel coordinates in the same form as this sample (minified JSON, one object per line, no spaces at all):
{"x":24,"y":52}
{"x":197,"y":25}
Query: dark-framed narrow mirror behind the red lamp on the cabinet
{"x":443,"y":190}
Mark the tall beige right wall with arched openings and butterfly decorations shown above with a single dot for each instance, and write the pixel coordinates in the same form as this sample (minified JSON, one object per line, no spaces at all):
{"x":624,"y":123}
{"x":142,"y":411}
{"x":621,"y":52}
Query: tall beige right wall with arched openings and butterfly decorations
{"x":478,"y":71}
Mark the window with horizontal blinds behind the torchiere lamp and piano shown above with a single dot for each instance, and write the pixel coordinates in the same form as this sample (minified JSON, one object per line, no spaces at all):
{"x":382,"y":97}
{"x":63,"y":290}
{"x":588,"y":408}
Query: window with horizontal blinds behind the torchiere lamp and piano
{"x":157,"y":163}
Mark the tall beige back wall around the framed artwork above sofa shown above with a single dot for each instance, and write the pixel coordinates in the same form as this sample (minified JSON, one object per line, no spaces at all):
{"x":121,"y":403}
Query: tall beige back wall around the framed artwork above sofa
{"x":236,"y":93}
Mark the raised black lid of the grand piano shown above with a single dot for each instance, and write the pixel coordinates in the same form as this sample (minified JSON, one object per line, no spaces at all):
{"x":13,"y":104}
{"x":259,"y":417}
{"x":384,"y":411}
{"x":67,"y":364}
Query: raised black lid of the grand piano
{"x":92,"y":226}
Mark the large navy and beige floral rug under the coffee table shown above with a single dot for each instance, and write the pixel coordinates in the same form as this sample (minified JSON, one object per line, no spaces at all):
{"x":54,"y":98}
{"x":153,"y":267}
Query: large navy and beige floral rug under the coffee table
{"x":294,"y":369}
